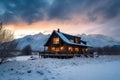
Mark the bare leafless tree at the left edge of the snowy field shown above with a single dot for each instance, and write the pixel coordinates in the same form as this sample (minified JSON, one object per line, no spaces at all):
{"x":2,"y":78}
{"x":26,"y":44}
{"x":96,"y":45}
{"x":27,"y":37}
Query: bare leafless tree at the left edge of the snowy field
{"x":5,"y":45}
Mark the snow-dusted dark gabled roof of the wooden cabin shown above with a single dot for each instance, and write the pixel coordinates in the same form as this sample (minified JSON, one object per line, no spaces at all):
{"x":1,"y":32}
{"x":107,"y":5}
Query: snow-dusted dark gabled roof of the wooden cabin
{"x":66,"y":38}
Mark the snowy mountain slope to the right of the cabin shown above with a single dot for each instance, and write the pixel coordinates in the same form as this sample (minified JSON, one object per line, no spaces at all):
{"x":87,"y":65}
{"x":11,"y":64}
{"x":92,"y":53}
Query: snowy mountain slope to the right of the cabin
{"x":97,"y":40}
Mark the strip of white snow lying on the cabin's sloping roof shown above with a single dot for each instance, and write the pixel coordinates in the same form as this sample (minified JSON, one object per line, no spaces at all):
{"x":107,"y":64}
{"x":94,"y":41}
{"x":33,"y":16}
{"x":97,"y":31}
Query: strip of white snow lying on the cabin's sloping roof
{"x":66,"y":40}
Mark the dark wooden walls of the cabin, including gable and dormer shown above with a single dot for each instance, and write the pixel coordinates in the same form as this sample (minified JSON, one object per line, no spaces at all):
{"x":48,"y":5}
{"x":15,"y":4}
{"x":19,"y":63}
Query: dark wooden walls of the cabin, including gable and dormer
{"x":56,"y":48}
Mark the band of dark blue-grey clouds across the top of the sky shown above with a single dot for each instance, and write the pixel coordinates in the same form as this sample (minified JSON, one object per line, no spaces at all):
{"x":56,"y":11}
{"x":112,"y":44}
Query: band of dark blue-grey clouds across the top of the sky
{"x":34,"y":10}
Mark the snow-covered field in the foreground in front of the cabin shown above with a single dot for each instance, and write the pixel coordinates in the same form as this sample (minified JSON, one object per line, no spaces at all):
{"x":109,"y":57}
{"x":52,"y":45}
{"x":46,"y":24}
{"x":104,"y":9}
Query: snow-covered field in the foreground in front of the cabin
{"x":22,"y":68}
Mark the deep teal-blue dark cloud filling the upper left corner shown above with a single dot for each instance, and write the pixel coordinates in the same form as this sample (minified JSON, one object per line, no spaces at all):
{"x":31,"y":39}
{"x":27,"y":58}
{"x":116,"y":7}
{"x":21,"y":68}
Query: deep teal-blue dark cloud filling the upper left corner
{"x":28,"y":10}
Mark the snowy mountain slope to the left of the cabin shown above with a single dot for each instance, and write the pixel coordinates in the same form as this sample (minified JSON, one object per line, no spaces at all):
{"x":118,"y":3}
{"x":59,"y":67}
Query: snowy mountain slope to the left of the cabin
{"x":35,"y":41}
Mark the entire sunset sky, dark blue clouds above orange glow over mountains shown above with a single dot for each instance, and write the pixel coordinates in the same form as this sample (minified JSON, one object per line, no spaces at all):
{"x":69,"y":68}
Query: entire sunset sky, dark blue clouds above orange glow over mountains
{"x":71,"y":16}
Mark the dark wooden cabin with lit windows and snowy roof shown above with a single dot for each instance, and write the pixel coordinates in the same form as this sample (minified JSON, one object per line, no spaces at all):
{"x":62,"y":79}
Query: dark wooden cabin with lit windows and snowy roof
{"x":61,"y":43}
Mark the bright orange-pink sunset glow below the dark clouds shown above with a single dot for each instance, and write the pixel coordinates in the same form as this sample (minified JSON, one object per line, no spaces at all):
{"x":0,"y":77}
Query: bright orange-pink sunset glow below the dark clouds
{"x":21,"y":28}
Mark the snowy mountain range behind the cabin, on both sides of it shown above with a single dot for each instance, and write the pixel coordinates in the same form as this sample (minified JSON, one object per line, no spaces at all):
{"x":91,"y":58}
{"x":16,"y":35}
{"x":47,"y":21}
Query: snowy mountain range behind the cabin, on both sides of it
{"x":38,"y":40}
